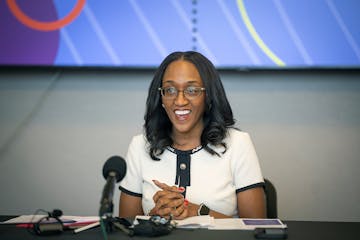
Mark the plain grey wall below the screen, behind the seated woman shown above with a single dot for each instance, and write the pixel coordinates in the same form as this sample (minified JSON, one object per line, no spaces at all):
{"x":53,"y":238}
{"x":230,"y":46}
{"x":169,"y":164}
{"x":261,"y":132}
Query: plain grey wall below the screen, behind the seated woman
{"x":58,"y":127}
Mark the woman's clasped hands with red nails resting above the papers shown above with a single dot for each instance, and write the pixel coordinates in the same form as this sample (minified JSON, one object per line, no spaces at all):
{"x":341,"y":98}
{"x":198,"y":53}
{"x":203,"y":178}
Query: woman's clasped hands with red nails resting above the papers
{"x":169,"y":201}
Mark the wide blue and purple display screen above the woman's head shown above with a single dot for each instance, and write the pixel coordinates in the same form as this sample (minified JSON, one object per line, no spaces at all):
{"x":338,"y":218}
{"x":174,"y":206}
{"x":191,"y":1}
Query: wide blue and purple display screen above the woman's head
{"x":140,"y":33}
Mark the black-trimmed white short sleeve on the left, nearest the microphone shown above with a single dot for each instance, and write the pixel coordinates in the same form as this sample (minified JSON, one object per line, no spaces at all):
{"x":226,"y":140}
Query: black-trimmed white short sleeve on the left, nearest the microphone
{"x":132,"y":182}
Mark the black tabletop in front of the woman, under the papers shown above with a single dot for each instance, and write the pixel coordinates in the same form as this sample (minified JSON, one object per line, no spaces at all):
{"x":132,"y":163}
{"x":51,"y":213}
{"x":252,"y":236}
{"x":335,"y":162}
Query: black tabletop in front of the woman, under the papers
{"x":301,"y":230}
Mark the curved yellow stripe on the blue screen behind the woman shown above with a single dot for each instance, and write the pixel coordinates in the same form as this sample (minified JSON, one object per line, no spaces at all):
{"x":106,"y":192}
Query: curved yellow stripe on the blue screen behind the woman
{"x":256,"y":36}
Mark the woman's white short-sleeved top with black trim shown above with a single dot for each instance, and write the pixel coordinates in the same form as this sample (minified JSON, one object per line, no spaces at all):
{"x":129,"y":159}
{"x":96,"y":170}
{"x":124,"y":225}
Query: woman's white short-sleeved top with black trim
{"x":214,"y":180}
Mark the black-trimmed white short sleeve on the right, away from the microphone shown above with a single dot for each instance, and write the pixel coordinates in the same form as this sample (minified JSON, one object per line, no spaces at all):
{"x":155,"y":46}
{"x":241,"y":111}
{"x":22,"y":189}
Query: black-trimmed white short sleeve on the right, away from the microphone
{"x":245,"y":163}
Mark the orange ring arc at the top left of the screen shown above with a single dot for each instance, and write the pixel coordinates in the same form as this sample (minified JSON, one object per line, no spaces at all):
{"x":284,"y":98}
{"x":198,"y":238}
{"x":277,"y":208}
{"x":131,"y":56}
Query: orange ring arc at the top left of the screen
{"x":45,"y":26}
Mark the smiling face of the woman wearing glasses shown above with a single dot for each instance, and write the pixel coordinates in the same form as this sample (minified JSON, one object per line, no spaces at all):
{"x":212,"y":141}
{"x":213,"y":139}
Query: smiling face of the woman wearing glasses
{"x":185,"y":113}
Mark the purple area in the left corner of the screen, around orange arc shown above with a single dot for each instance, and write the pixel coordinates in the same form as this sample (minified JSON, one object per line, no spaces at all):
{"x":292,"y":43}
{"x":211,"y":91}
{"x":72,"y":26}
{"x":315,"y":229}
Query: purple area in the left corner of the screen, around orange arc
{"x":22,"y":45}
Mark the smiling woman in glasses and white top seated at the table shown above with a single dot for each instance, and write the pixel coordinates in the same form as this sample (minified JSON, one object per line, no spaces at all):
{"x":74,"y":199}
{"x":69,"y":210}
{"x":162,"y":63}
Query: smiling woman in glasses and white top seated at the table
{"x":191,"y":160}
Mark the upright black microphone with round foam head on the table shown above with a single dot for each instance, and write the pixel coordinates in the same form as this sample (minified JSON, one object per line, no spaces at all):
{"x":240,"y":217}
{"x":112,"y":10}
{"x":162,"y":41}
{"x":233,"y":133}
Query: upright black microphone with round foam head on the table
{"x":114,"y":171}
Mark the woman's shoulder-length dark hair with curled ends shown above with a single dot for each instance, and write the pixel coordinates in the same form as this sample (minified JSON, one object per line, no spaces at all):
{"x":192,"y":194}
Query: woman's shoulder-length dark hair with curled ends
{"x":217,"y":117}
